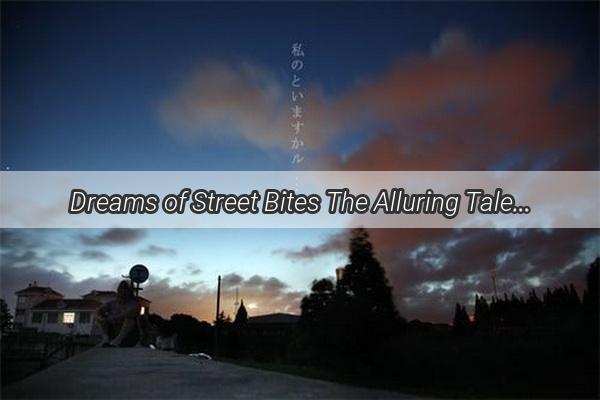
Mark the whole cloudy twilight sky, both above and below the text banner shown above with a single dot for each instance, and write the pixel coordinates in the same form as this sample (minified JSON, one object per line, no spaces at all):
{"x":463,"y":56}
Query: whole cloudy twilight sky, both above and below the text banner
{"x":388,"y":86}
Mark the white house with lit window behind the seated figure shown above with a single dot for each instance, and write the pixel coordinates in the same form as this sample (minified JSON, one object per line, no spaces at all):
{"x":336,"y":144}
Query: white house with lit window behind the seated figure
{"x":46,"y":310}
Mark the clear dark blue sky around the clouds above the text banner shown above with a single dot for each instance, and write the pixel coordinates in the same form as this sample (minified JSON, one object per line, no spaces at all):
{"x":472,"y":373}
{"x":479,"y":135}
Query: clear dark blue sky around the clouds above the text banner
{"x":82,"y":82}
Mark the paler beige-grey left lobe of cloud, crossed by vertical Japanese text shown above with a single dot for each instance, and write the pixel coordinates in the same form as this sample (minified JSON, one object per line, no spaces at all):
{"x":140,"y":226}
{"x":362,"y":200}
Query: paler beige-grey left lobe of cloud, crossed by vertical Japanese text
{"x":247,"y":101}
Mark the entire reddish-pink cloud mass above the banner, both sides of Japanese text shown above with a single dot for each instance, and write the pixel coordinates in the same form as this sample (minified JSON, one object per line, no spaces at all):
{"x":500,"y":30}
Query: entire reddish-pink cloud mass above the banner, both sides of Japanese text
{"x":451,"y":107}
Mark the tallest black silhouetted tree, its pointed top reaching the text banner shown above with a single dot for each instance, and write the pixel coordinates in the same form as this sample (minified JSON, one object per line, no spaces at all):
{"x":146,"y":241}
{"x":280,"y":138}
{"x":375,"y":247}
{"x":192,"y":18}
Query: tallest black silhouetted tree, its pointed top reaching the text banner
{"x":347,"y":323}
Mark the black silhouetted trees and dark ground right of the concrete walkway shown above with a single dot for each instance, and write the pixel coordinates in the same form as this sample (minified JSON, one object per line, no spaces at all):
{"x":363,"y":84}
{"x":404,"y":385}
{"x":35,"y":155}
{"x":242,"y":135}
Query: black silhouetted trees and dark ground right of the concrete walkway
{"x":540,"y":345}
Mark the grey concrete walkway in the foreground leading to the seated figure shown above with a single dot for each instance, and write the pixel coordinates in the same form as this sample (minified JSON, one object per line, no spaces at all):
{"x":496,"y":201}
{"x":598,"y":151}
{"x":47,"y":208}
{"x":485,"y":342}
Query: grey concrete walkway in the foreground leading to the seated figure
{"x":137,"y":373}
